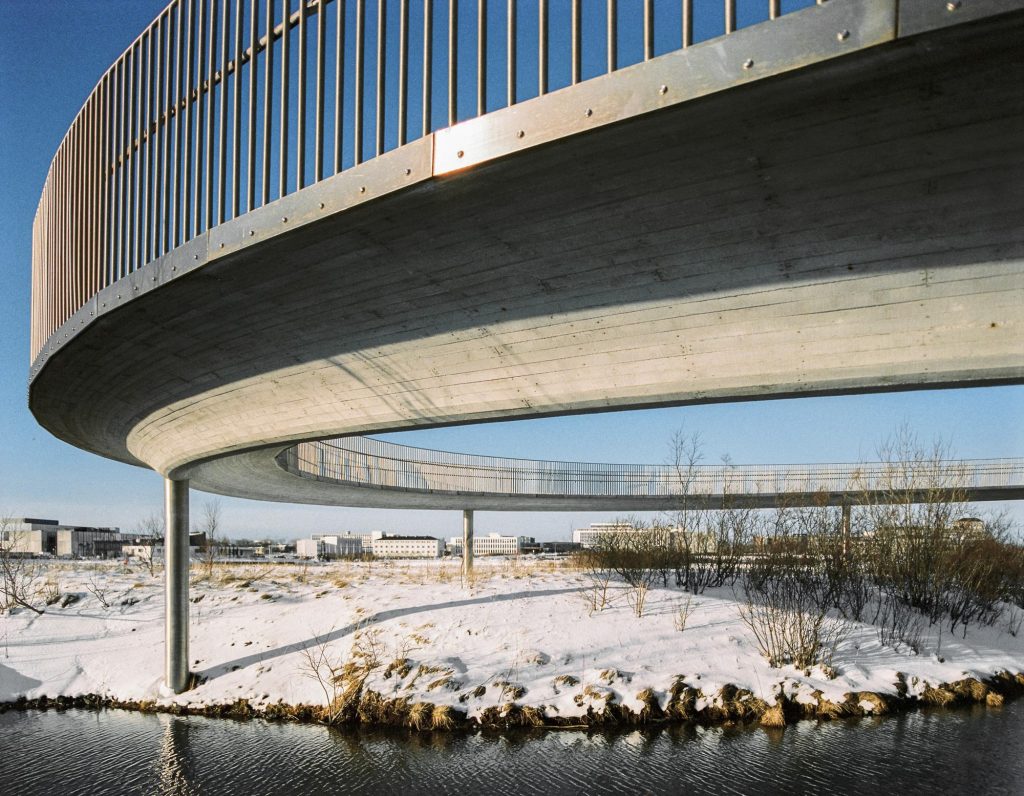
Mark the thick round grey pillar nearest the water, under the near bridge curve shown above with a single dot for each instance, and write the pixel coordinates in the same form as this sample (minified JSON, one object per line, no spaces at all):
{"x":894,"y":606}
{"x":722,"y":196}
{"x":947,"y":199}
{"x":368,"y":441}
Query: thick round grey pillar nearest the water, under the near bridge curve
{"x":177,"y":589}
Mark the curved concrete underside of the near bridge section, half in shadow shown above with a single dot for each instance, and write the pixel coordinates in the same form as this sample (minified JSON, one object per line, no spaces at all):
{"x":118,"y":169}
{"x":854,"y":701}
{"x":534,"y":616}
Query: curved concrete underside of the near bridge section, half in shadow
{"x":852,"y":227}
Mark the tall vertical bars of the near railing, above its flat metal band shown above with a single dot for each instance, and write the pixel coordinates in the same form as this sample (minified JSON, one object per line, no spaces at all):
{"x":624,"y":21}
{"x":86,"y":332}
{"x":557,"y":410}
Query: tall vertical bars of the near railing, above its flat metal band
{"x":220,"y":108}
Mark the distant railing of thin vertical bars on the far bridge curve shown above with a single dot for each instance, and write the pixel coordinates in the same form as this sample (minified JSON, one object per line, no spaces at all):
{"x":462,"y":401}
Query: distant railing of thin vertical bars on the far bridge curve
{"x":367,"y":463}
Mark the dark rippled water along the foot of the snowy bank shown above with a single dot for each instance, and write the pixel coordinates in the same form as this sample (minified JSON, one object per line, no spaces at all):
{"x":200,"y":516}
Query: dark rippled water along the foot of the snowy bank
{"x":113,"y":752}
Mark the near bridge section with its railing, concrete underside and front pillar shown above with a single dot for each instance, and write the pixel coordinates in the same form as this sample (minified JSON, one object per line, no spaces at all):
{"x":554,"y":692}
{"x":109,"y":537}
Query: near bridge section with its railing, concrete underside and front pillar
{"x":276,"y":223}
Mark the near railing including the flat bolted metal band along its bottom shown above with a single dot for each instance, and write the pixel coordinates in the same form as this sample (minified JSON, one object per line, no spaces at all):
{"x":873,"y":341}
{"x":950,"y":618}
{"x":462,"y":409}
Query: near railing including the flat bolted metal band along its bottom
{"x":221,"y":112}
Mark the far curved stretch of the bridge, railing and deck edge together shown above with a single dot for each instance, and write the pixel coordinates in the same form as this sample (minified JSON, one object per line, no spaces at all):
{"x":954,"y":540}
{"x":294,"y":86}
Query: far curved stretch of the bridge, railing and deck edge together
{"x":385,"y":474}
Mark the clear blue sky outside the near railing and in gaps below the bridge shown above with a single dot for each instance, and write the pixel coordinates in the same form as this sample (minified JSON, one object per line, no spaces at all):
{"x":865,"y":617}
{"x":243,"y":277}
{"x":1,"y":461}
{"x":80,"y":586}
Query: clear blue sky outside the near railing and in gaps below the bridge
{"x":52,"y":55}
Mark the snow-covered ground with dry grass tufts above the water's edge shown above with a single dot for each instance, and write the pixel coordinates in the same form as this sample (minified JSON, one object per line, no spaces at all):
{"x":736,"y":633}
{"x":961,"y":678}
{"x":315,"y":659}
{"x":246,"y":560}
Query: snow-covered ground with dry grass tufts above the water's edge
{"x":522,"y":633}
